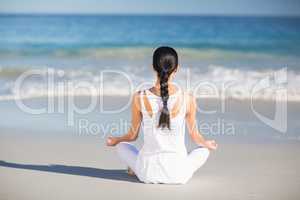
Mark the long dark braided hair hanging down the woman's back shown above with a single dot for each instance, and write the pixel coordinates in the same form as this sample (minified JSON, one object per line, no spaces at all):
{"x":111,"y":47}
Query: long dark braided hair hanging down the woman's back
{"x":165,"y":62}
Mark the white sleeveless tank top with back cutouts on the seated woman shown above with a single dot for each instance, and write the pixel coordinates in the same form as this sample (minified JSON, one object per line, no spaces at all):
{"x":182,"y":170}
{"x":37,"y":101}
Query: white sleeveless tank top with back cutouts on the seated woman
{"x":162,"y":157}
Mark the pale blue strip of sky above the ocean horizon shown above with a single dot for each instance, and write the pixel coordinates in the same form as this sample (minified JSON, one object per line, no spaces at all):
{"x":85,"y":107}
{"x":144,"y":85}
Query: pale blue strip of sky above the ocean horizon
{"x":190,"y":7}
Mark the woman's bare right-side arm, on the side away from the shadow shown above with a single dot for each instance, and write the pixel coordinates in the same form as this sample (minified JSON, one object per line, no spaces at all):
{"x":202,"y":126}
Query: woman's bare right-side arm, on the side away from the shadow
{"x":192,"y":125}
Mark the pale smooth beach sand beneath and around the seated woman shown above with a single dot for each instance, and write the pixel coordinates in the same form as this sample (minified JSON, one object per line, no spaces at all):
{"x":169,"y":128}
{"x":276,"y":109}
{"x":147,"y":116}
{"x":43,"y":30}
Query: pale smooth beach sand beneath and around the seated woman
{"x":41,"y":161}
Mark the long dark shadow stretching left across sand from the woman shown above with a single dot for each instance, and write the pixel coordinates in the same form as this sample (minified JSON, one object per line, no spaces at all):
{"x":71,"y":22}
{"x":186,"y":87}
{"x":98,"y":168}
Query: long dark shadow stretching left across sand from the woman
{"x":111,"y":174}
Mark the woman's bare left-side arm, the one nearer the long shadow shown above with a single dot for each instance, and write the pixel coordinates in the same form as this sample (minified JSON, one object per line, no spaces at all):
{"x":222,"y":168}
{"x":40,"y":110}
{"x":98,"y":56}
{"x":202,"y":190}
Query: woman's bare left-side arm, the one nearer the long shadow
{"x":135,"y":124}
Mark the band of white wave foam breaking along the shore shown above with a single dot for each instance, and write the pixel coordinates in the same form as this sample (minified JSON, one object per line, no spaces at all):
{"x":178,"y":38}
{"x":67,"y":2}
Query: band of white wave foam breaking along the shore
{"x":226,"y":83}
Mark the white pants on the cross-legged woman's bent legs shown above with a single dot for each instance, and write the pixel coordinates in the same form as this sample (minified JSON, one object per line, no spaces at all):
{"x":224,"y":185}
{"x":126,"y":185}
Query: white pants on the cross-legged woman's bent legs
{"x":128,"y":154}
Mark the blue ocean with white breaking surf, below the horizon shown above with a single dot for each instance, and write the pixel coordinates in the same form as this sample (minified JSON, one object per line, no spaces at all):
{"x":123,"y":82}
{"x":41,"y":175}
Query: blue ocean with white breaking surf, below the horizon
{"x":218,"y":49}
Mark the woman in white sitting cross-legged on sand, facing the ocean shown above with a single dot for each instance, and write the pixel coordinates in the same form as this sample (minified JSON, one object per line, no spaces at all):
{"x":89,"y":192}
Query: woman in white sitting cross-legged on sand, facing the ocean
{"x":163,"y":111}
